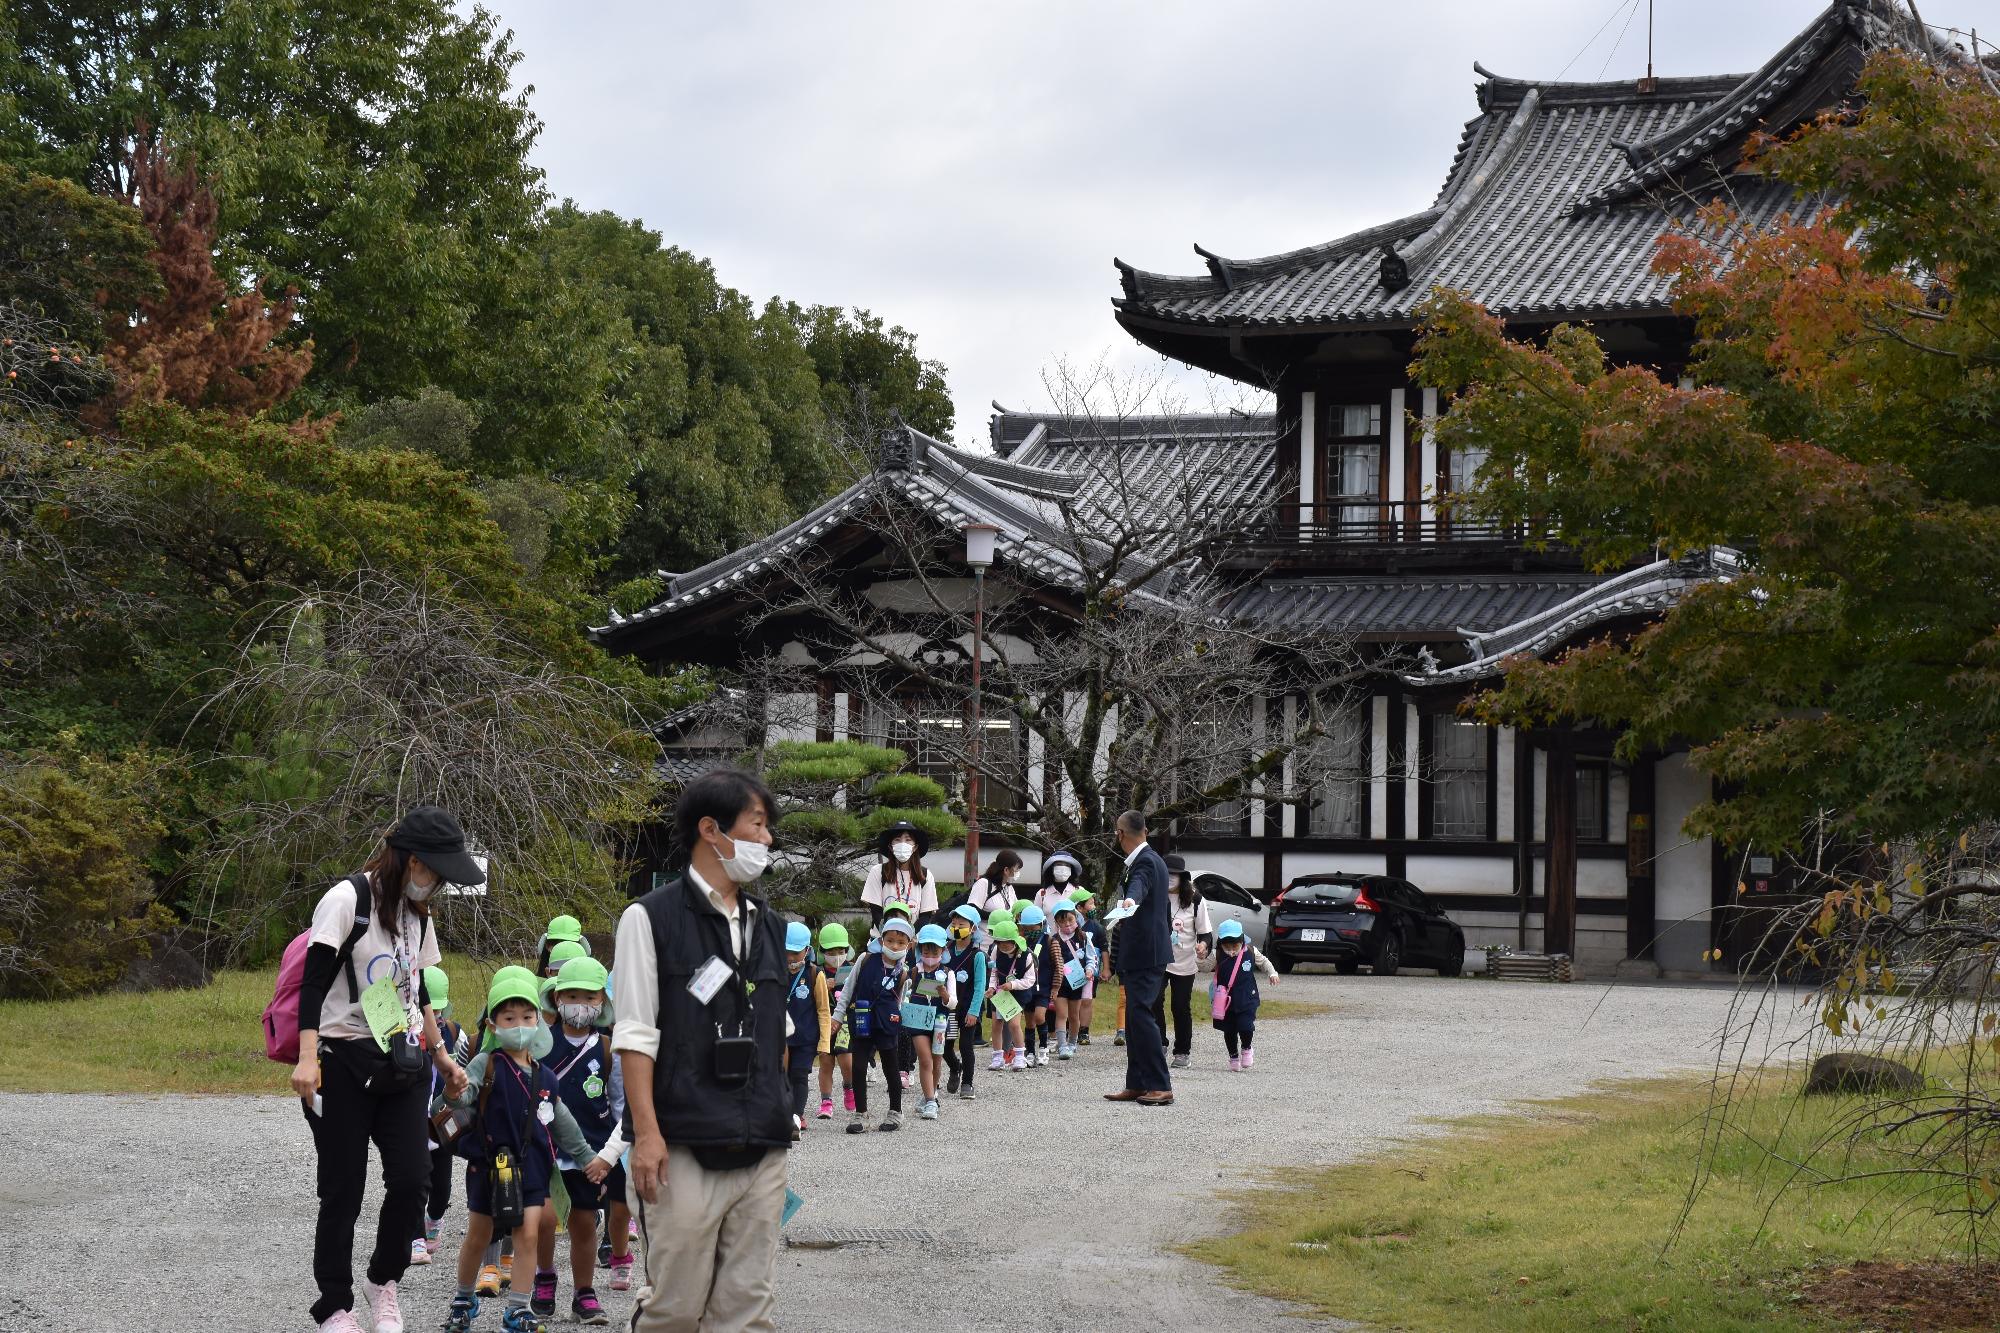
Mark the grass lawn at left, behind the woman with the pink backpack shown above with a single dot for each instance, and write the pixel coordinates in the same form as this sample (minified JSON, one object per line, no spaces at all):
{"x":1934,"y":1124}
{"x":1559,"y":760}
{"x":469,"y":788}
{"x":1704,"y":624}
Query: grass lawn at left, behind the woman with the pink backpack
{"x":167,"y":1042}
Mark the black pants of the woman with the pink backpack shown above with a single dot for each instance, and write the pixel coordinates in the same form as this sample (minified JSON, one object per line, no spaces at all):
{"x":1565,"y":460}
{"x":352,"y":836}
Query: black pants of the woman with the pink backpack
{"x":351,"y":1120}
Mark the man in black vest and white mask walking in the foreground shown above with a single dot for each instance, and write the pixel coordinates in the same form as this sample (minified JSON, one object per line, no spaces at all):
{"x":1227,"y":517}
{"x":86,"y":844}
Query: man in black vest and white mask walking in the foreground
{"x":701,"y":1034}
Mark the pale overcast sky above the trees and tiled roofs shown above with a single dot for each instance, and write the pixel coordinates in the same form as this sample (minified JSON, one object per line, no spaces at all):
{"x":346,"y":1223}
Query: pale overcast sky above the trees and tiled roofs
{"x":969,"y":171}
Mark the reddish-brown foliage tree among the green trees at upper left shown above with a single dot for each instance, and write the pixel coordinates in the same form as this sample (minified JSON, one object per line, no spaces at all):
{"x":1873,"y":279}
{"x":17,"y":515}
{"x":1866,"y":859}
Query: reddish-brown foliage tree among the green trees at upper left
{"x":195,"y":343}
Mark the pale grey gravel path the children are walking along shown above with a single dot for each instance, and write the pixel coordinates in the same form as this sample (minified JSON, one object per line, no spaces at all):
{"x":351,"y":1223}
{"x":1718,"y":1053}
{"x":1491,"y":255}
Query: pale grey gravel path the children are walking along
{"x":197,"y":1212}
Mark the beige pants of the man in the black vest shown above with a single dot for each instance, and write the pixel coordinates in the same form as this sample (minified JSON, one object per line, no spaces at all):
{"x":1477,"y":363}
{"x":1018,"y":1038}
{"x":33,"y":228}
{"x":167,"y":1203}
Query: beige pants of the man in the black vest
{"x":711,"y":1248}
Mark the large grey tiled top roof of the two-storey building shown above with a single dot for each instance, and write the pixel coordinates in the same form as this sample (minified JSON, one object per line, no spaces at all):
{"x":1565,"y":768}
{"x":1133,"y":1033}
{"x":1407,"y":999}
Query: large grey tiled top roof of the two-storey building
{"x":1553,"y":205}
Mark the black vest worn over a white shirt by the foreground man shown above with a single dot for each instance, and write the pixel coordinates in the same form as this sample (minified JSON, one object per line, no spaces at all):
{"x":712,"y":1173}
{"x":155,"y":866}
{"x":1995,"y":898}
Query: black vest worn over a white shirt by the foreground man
{"x":693,"y":1108}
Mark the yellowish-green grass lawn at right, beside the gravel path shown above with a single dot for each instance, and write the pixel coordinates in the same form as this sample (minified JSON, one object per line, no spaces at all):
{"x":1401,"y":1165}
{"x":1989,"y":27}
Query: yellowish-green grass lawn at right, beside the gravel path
{"x":1561,"y":1218}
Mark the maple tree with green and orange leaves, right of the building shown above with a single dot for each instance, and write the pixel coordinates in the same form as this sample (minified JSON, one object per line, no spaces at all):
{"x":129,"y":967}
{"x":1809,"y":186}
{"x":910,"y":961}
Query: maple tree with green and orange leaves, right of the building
{"x":1843,"y":435}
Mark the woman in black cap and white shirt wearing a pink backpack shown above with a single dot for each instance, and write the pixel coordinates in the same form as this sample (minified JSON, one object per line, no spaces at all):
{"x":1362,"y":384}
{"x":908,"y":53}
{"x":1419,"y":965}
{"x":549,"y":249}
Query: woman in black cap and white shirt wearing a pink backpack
{"x":365,"y":1066}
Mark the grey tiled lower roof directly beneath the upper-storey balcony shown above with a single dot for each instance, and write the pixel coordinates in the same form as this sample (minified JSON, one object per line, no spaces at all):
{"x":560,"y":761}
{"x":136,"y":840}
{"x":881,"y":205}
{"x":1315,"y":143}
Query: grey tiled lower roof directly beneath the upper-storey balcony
{"x":1409,"y":605}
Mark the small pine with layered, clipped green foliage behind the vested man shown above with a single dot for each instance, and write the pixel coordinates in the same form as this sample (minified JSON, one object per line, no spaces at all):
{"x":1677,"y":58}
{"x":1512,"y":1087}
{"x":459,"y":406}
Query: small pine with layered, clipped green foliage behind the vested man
{"x":839,"y":798}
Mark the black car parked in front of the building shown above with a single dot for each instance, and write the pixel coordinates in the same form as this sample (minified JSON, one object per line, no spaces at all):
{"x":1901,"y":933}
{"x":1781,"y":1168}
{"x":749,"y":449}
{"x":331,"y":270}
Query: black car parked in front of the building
{"x":1363,"y":920}
